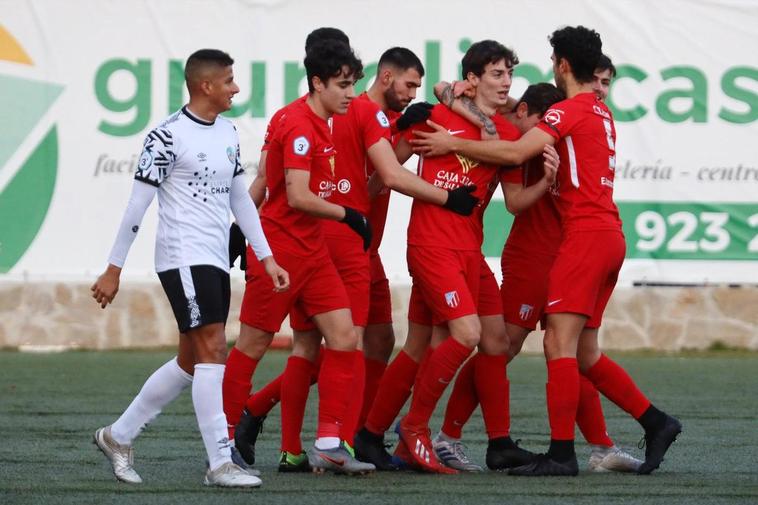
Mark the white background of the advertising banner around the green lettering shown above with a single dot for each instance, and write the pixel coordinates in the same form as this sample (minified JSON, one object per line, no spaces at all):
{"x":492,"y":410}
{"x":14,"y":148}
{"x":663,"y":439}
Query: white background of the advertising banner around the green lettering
{"x":69,"y":42}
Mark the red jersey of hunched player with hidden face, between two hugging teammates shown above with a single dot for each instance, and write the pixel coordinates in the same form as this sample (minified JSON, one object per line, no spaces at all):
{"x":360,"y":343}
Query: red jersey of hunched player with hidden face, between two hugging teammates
{"x":536,"y":231}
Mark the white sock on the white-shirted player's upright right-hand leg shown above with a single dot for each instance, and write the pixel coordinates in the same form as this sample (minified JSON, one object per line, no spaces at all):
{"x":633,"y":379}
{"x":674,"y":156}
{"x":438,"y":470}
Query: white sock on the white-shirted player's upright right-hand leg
{"x":209,"y":410}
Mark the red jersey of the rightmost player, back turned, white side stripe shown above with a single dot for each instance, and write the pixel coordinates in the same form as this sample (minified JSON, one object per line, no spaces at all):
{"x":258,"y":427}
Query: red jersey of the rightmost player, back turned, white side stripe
{"x":586,"y":135}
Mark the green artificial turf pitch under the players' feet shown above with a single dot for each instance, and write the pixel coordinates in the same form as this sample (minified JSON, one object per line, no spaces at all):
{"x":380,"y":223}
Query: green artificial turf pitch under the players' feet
{"x":50,"y":405}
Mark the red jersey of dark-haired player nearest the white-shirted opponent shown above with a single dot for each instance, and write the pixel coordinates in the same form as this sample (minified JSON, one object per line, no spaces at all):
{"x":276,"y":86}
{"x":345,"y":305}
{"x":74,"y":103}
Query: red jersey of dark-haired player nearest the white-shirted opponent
{"x":303,"y":141}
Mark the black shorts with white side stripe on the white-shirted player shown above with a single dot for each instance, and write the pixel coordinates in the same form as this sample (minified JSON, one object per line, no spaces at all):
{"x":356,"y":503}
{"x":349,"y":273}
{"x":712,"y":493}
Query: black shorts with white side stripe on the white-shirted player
{"x":198,"y":294}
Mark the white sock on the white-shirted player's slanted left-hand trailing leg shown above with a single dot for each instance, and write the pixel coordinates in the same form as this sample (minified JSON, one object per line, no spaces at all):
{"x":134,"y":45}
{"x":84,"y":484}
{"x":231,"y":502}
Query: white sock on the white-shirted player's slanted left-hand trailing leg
{"x":159,"y":390}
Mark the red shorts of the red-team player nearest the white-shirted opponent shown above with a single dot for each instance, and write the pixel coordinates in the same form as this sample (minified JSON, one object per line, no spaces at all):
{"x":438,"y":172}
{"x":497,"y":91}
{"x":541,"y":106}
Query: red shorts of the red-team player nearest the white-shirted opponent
{"x":315,"y":288}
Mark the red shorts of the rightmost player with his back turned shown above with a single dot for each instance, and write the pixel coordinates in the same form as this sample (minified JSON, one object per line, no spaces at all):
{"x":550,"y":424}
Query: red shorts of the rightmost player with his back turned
{"x":584,"y":273}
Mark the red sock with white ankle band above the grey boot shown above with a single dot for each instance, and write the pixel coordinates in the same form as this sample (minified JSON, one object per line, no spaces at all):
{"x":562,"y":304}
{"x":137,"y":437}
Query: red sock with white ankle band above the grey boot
{"x":334,"y":384}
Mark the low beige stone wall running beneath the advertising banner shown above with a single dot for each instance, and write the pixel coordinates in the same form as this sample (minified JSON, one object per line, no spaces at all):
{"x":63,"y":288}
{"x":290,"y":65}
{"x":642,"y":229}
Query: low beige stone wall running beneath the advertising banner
{"x":57,"y":315}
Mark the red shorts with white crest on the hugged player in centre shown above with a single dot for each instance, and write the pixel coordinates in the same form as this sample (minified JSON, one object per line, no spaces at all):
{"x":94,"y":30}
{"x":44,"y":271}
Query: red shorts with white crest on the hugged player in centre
{"x":447,"y":279}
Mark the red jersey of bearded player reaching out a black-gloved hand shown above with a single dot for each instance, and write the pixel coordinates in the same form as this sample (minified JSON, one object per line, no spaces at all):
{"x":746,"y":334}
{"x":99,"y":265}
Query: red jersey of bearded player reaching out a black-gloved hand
{"x":354,"y":133}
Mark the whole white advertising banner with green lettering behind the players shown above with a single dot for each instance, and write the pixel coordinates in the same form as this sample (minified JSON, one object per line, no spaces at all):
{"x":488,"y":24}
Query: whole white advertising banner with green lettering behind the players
{"x":82,"y":82}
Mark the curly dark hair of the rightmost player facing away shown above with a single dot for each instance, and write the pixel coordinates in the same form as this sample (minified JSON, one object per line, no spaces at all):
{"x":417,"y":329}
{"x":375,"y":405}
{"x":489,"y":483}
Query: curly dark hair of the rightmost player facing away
{"x":581,"y":47}
